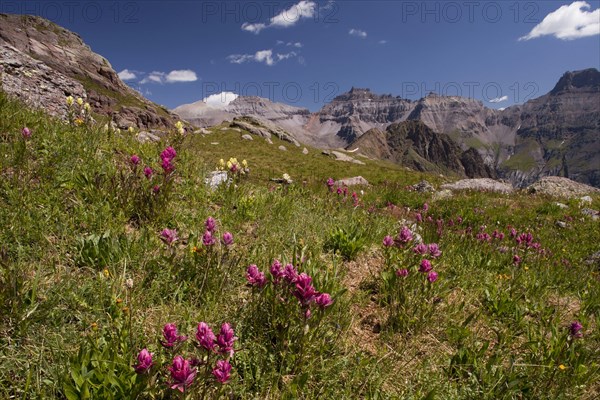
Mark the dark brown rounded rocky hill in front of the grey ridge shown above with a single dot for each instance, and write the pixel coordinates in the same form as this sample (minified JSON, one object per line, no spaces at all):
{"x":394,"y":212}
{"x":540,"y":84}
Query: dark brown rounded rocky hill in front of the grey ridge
{"x":414,"y":144}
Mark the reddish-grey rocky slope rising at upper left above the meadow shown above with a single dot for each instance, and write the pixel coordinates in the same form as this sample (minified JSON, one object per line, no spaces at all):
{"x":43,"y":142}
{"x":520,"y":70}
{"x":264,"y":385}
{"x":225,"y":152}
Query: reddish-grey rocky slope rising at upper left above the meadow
{"x":42,"y":63}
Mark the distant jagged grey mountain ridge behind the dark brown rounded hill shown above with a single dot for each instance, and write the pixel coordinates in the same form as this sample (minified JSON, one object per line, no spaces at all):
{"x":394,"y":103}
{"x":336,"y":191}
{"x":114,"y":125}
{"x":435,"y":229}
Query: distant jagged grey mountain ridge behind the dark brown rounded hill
{"x":555,"y":134}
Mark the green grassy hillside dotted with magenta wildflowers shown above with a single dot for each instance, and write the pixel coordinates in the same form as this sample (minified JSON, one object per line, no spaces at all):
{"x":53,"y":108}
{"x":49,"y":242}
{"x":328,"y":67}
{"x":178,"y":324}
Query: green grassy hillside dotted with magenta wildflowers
{"x":89,"y":277}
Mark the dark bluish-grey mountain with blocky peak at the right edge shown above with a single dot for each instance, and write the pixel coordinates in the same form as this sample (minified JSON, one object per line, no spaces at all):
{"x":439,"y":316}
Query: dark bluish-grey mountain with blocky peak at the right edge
{"x":558,"y":133}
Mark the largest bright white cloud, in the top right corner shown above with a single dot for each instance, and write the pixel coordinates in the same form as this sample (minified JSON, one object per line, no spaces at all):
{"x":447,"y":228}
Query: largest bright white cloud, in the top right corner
{"x":568,"y":22}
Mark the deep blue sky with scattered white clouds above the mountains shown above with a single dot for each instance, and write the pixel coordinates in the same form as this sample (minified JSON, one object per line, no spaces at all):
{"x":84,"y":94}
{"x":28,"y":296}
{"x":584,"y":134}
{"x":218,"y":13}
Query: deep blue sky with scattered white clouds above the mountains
{"x":304,"y":52}
